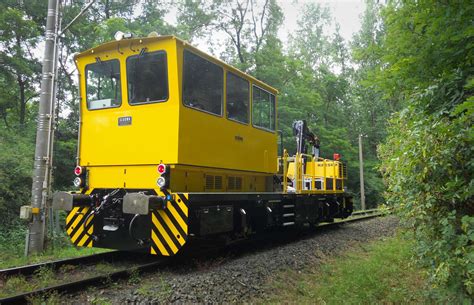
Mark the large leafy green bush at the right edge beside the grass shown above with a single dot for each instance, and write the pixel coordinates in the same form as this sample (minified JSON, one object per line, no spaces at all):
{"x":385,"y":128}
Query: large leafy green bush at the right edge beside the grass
{"x":428,"y":163}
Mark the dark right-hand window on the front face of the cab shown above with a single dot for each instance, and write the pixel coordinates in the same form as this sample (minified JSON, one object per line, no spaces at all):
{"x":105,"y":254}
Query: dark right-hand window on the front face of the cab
{"x":147,"y":78}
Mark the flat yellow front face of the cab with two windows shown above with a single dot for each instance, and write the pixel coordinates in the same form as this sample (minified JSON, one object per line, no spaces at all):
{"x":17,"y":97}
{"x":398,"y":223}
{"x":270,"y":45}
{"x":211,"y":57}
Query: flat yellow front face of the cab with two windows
{"x":129,"y":119}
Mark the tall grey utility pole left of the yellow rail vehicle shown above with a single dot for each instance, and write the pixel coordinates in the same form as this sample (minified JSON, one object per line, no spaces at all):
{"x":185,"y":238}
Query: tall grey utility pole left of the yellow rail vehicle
{"x":41,"y":177}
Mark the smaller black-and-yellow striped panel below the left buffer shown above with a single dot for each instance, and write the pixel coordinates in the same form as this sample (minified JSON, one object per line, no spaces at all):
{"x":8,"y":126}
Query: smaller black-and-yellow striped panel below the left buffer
{"x":76,"y":229}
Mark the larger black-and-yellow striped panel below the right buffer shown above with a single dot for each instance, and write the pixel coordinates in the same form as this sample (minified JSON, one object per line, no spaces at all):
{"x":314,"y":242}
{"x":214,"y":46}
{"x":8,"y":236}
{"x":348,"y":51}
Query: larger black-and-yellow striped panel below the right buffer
{"x":170,"y":226}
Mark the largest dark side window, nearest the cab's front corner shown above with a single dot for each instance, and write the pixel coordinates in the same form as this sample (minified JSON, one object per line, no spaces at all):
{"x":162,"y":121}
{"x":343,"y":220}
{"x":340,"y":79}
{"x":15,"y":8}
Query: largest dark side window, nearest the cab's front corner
{"x":202,"y":84}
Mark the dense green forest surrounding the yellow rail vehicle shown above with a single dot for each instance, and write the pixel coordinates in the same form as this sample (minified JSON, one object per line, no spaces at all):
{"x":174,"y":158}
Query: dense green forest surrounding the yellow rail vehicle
{"x":404,"y":81}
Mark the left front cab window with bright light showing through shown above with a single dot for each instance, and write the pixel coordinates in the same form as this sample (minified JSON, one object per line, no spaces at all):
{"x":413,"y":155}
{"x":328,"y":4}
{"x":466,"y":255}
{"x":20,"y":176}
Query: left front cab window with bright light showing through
{"x":103,"y":85}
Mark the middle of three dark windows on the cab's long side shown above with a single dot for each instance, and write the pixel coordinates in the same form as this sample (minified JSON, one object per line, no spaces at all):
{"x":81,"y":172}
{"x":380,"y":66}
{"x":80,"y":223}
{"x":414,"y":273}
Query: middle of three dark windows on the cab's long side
{"x":237,"y":98}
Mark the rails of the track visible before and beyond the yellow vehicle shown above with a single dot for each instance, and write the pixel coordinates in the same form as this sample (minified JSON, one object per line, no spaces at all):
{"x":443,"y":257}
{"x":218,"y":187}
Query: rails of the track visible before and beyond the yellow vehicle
{"x":149,"y":264}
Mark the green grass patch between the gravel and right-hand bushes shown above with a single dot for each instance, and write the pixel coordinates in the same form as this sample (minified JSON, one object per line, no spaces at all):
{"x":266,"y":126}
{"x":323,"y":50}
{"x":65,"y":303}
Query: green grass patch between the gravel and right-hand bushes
{"x":380,"y":272}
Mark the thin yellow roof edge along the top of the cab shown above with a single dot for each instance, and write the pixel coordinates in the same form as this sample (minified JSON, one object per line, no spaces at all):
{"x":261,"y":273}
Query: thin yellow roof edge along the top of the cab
{"x":115,"y":45}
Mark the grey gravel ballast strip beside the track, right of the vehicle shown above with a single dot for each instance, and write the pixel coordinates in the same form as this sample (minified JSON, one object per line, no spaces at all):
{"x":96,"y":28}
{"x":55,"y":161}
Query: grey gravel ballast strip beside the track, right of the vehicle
{"x":240,"y":275}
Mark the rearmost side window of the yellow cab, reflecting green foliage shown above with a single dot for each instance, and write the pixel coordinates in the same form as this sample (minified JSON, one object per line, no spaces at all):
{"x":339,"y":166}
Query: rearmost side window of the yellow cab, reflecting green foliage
{"x":263,"y":109}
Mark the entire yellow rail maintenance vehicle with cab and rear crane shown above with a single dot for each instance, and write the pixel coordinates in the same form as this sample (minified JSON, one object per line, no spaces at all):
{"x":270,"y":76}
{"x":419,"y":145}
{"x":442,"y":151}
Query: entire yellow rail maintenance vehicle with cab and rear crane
{"x":175,"y":144}
